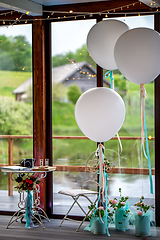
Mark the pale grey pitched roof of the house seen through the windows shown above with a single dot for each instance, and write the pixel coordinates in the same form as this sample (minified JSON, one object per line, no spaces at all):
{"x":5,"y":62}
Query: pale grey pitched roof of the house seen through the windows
{"x":59,"y":75}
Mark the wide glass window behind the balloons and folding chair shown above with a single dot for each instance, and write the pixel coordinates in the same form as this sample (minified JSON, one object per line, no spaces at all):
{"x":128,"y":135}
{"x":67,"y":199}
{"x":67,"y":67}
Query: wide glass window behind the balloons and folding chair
{"x":73,"y":73}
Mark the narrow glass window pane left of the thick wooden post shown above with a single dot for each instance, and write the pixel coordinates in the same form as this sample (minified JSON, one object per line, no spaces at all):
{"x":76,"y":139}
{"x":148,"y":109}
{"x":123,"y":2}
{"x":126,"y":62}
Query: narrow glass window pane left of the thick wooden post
{"x":16,"y":117}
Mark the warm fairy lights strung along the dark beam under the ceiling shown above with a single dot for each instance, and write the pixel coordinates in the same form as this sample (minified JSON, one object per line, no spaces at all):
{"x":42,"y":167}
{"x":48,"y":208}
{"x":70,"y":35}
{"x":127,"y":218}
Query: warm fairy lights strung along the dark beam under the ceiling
{"x":51,"y":15}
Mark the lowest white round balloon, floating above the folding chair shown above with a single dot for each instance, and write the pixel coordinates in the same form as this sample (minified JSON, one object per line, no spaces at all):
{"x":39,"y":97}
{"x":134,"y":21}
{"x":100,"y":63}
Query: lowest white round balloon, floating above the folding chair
{"x":100,"y":113}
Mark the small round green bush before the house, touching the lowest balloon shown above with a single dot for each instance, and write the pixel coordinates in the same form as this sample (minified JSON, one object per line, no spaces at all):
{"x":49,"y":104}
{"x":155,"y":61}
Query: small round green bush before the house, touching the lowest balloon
{"x":74,"y":93}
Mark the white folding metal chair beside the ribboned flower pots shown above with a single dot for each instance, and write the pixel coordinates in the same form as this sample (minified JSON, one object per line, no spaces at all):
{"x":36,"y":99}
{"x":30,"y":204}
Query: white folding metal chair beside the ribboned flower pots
{"x":90,"y":173}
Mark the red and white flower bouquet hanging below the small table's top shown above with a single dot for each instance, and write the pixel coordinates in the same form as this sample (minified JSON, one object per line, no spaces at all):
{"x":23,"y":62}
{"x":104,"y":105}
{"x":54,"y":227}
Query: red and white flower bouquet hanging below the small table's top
{"x":26,"y":182}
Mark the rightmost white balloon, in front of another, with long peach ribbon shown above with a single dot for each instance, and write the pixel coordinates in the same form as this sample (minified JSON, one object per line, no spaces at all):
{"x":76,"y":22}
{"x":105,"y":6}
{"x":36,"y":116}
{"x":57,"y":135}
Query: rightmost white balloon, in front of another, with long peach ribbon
{"x":137,"y":54}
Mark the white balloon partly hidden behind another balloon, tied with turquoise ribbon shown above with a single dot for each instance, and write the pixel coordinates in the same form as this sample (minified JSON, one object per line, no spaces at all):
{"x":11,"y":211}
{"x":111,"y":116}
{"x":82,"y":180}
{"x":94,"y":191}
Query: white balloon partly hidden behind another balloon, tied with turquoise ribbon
{"x":101,"y":40}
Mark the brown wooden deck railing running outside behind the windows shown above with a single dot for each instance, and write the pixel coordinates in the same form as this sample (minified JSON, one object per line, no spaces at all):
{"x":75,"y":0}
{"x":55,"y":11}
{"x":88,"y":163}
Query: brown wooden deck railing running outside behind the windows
{"x":123,"y":170}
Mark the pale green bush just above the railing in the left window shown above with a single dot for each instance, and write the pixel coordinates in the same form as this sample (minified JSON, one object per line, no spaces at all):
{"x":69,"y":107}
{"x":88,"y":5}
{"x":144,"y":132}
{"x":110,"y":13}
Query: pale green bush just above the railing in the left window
{"x":15,"y":117}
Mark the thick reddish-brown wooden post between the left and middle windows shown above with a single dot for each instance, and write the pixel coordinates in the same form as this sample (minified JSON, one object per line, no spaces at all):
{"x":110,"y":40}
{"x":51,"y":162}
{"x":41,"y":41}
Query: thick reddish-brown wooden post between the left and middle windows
{"x":39,"y":99}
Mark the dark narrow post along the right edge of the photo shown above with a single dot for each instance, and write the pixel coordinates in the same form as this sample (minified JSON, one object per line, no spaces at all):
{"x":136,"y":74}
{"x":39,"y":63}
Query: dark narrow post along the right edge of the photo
{"x":157,"y":136}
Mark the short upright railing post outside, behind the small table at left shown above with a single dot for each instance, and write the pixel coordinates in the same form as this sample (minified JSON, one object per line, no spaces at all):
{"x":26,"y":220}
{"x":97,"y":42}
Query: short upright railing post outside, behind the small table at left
{"x":10,"y":162}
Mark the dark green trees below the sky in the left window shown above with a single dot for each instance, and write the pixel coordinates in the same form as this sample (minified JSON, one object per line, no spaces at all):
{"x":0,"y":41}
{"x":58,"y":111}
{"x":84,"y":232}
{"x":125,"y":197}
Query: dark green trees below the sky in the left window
{"x":15,"y":54}
